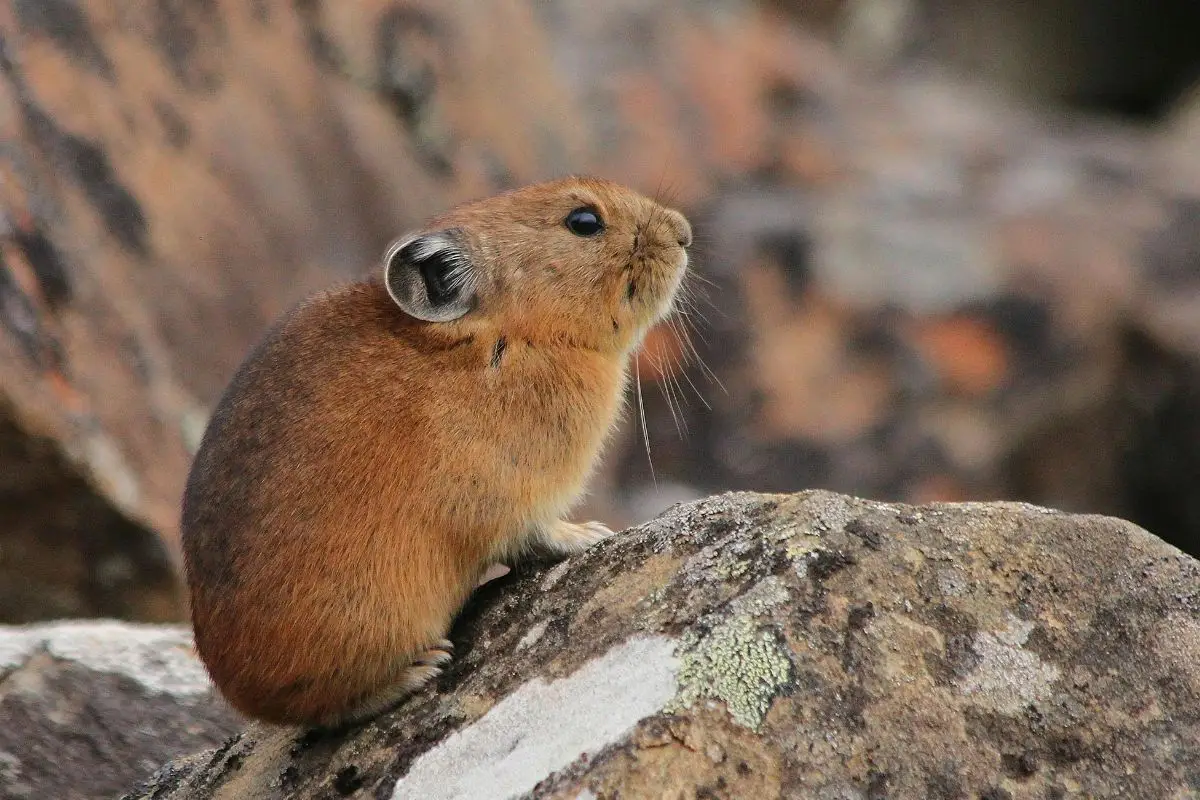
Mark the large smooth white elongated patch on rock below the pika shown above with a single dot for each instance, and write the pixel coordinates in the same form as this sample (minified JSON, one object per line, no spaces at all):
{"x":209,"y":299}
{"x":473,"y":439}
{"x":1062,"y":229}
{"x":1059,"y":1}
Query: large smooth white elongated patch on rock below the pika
{"x":543,"y":727}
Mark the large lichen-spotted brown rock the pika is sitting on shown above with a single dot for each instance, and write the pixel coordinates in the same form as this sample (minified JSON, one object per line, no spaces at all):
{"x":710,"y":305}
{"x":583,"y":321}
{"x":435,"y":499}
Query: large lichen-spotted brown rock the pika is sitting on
{"x":812,"y":646}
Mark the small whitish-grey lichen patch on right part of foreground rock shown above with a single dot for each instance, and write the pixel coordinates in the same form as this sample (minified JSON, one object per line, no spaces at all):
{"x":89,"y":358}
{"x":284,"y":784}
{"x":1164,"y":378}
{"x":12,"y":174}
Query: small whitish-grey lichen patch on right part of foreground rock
{"x":1009,"y":677}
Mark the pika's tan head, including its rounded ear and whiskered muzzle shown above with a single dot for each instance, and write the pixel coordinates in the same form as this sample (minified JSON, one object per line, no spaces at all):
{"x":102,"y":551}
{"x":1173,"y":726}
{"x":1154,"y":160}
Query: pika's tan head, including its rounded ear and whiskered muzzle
{"x":584,"y":262}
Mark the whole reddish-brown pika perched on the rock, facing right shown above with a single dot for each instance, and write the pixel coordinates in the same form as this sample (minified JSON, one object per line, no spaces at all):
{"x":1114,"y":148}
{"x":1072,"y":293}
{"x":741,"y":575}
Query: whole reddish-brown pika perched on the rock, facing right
{"x":391,"y":440}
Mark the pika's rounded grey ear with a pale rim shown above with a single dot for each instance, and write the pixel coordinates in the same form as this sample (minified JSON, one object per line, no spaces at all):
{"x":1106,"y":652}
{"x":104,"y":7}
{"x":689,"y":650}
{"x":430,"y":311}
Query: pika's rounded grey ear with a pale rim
{"x":431,"y":276}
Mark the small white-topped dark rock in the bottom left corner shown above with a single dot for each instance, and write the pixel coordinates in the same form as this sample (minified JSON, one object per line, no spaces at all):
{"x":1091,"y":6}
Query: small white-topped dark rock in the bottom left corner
{"x":89,"y":708}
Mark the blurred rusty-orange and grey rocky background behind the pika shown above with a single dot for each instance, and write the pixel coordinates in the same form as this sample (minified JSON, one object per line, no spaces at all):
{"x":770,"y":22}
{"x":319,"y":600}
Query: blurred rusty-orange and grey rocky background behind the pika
{"x":945,"y":250}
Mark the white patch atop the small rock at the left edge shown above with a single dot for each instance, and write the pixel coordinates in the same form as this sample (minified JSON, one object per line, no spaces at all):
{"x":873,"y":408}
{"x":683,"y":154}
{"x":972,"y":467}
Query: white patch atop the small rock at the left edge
{"x":158,"y":657}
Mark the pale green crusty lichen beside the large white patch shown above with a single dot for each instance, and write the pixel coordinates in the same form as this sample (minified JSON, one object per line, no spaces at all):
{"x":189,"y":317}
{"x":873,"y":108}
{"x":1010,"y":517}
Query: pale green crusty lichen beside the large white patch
{"x":739,"y":664}
